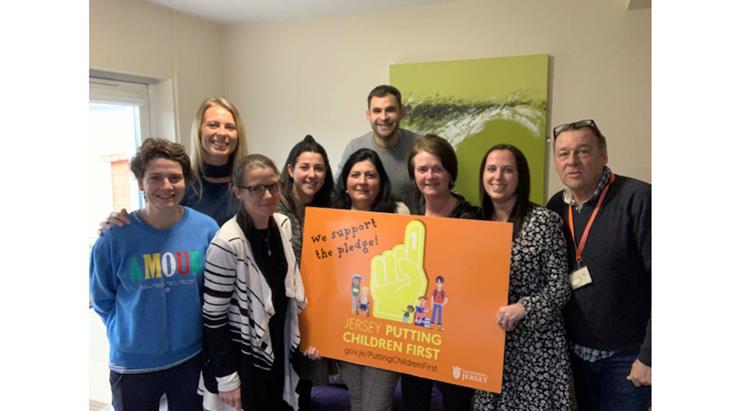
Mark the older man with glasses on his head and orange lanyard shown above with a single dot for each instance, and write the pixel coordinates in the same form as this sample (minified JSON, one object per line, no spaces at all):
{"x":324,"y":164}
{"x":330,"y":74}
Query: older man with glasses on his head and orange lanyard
{"x":608,"y":228}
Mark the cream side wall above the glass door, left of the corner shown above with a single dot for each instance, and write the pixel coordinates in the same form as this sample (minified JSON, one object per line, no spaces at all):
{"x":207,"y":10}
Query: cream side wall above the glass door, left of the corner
{"x":138,"y":38}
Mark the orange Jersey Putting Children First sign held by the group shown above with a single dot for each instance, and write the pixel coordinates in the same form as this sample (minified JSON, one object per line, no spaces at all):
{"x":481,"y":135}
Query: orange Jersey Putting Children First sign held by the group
{"x":412,"y":294}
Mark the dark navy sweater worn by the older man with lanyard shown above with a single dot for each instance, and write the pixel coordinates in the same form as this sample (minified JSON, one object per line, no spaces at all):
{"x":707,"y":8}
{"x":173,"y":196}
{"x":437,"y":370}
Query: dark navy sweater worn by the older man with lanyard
{"x":614,"y":311}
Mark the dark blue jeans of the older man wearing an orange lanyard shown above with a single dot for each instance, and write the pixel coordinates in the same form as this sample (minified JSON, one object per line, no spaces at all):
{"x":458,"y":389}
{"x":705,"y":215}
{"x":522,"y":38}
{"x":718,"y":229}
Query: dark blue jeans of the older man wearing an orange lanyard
{"x":601,"y":385}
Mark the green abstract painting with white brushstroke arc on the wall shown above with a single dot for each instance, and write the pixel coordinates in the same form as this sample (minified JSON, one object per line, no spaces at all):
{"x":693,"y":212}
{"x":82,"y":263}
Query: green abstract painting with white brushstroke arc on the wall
{"x":476,"y":104}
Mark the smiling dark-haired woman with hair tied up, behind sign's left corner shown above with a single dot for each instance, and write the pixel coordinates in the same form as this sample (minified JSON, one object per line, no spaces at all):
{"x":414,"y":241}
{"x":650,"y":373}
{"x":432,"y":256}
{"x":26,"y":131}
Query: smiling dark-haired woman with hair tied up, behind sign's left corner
{"x":306,"y":181}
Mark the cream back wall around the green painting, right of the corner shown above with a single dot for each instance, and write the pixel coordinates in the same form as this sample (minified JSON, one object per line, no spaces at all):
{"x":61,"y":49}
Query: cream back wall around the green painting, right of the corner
{"x":312,"y":76}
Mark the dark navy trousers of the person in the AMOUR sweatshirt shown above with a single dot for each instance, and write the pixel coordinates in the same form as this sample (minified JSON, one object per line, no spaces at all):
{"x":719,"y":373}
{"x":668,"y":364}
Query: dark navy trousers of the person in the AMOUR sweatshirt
{"x":141,"y":392}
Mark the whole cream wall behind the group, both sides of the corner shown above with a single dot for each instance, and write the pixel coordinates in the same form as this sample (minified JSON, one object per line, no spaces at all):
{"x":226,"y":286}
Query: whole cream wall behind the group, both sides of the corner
{"x":312,"y":76}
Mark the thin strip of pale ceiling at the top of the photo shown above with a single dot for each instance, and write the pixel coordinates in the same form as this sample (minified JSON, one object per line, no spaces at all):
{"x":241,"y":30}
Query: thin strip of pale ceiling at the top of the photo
{"x":242,"y":11}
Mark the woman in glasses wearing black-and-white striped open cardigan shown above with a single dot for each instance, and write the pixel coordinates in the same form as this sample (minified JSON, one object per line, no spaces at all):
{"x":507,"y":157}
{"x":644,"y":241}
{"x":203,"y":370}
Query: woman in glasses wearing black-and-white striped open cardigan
{"x":252,"y":295}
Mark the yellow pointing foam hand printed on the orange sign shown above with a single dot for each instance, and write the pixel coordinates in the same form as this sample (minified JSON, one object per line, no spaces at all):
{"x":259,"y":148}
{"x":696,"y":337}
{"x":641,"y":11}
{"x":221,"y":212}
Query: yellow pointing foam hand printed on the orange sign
{"x":397,"y":277}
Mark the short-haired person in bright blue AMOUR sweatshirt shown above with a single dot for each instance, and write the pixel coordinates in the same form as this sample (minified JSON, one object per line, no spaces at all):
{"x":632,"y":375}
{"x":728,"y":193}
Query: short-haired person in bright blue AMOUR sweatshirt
{"x":146,"y":282}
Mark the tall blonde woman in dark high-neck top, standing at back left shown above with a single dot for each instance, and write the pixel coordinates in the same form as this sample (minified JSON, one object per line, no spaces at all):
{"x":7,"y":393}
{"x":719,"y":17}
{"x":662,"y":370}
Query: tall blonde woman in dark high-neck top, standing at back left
{"x":218,"y":139}
